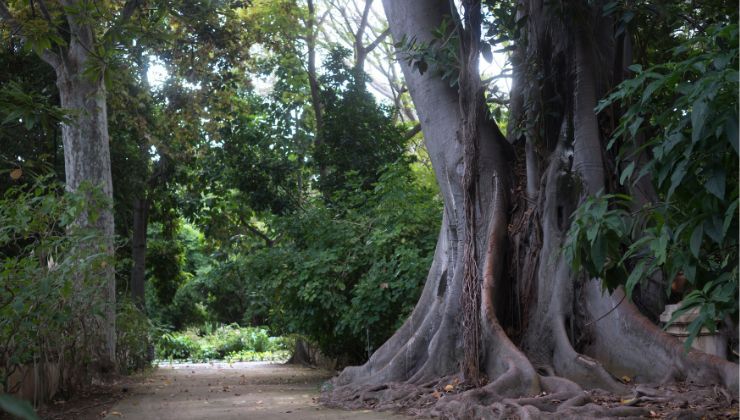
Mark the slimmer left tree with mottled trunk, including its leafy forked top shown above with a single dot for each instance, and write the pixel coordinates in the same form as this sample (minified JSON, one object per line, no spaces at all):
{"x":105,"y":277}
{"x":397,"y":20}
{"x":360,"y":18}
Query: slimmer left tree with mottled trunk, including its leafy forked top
{"x":78,"y":39}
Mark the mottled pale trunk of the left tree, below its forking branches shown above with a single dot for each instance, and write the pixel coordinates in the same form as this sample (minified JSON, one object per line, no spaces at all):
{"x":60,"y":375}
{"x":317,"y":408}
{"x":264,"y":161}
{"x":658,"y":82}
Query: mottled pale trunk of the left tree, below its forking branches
{"x":87,"y":160}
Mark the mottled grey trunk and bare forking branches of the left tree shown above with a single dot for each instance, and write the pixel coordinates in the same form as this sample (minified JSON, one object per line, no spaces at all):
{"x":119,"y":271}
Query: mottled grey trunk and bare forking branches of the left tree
{"x":86,"y":143}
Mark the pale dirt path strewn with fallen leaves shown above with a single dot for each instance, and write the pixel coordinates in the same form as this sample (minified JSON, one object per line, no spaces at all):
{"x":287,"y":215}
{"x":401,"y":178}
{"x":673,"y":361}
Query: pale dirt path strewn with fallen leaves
{"x":246,"y":390}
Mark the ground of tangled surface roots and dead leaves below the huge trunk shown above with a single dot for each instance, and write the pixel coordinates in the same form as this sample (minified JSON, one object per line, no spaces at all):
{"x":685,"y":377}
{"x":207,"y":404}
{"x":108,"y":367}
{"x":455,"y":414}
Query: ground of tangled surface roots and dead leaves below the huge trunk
{"x":678,"y":401}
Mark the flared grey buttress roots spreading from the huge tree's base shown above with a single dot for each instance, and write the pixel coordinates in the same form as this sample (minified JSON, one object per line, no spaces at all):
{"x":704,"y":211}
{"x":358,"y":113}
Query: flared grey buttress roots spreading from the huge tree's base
{"x":550,"y":378}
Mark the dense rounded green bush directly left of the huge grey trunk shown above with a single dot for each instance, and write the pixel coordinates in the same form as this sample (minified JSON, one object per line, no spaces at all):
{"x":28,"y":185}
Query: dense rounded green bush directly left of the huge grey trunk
{"x":348,"y":277}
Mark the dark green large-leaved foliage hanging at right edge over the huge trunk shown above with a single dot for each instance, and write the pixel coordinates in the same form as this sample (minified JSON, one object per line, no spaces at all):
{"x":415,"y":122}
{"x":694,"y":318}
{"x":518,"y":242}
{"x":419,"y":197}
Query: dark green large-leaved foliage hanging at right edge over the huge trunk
{"x":686,"y":111}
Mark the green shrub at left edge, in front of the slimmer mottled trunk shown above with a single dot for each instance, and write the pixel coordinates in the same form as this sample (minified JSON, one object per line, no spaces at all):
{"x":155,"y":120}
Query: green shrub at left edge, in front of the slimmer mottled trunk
{"x":50,"y":272}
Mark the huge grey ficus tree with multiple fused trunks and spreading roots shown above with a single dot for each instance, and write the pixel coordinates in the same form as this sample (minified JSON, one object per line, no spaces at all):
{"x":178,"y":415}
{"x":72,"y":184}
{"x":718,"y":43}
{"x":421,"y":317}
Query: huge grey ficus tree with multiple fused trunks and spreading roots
{"x":502,"y":306}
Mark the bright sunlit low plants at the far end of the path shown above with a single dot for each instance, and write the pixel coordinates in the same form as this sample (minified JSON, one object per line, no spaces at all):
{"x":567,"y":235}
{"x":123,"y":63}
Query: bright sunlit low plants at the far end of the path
{"x":229,"y":342}
